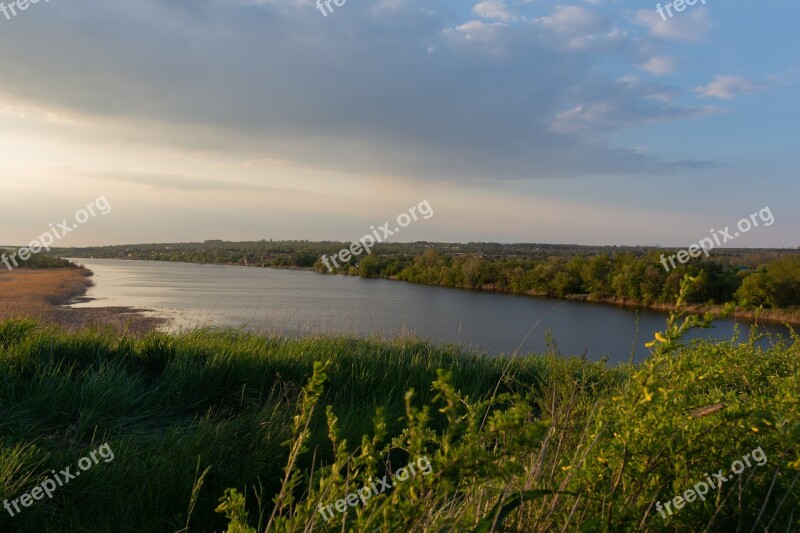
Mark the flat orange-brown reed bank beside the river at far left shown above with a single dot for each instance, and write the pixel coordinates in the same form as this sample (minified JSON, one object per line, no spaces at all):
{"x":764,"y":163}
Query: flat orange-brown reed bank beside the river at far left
{"x":44,"y":294}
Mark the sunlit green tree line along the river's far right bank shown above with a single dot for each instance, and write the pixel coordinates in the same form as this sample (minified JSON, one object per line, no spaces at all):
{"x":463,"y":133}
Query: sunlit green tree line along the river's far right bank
{"x":773,"y":284}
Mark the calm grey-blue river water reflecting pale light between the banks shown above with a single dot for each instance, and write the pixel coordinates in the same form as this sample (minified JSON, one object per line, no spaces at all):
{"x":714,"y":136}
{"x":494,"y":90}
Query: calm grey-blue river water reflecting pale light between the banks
{"x":300,"y":302}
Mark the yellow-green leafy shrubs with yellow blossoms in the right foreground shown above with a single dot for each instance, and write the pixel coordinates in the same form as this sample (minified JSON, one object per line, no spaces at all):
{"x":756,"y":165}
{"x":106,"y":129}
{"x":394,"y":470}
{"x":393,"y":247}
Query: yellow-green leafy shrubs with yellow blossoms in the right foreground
{"x":596,"y":460}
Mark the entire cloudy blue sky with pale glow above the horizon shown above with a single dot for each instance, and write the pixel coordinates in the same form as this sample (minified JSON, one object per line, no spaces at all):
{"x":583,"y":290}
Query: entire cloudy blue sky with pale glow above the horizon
{"x":581,"y":121}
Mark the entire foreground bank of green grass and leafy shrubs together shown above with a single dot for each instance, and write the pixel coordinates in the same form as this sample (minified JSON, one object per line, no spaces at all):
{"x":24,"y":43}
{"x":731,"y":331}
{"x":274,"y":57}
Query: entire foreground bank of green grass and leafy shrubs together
{"x":600,"y":444}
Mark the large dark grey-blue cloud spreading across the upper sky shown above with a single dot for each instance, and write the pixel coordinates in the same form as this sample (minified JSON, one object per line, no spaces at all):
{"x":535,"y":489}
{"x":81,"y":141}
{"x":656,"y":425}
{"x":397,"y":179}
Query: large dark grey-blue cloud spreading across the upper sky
{"x":429,"y":93}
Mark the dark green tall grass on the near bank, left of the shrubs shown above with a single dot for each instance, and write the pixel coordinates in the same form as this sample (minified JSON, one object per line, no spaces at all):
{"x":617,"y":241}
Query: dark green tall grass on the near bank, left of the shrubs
{"x":170,"y":404}
